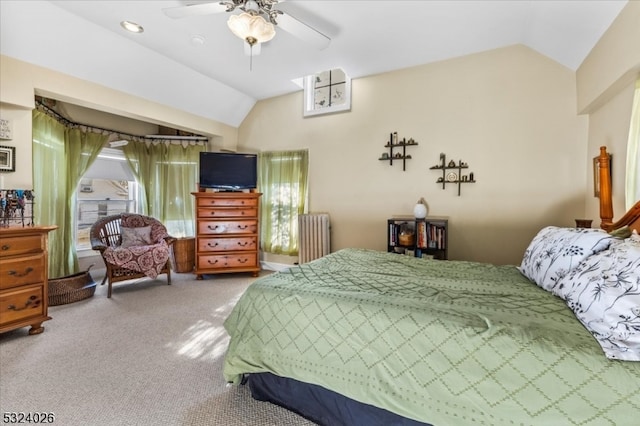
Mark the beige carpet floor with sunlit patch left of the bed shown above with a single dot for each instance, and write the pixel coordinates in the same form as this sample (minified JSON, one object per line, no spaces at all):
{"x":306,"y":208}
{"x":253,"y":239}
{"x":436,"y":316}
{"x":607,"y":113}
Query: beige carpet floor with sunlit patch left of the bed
{"x":150,"y":355}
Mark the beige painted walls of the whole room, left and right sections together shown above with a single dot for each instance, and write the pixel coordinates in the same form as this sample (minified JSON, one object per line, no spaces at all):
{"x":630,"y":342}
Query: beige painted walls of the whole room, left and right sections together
{"x":509,"y":113}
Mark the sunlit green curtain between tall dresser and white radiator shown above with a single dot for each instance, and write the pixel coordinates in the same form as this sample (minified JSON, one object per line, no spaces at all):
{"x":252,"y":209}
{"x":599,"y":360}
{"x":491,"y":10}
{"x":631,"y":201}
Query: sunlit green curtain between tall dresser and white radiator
{"x":282,"y":179}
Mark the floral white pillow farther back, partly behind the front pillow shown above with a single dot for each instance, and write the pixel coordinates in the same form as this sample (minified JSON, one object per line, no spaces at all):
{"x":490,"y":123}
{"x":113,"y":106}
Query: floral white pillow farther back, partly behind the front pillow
{"x":555,"y":251}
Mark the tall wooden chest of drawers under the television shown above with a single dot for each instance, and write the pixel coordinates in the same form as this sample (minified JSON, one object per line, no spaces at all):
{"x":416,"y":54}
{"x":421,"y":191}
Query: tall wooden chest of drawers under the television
{"x":227,"y":238}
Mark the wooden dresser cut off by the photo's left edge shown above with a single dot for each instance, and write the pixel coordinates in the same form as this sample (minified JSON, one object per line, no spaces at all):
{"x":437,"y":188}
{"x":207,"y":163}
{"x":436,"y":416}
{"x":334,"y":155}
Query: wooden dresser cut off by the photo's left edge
{"x":23,"y":278}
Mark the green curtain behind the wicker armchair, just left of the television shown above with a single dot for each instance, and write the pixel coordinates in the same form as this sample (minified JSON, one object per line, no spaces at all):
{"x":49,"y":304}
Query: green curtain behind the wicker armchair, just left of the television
{"x":167,"y":174}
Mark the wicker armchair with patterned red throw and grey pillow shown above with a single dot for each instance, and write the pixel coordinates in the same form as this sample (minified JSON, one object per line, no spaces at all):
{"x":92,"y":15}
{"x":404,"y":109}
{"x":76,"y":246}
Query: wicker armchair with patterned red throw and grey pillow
{"x":132,"y":246}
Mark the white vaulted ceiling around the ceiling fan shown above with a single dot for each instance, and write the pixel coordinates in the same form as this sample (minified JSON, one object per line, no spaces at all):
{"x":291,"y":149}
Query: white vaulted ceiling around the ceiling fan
{"x":213,"y":78}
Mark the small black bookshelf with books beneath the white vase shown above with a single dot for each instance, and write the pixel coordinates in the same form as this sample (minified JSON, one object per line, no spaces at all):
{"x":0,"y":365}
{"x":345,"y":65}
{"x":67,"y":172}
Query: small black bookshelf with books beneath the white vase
{"x":426,"y":238}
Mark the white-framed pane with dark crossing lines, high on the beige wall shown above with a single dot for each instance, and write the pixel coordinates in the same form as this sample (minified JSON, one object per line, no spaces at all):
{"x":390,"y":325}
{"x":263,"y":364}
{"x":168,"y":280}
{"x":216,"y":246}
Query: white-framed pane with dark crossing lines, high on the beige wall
{"x":327,"y":92}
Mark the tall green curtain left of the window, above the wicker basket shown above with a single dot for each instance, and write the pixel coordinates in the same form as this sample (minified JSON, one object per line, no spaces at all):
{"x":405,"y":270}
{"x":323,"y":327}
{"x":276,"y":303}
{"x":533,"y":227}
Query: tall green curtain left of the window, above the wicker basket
{"x":60,"y":157}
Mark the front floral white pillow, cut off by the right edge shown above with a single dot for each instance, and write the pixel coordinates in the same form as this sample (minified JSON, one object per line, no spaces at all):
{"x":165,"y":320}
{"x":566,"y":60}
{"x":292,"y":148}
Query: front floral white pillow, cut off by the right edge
{"x":604,"y":293}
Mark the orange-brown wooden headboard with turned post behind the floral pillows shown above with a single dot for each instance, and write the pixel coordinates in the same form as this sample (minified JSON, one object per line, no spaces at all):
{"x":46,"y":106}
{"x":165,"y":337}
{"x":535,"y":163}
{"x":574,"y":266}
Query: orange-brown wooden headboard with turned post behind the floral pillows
{"x":630,"y":218}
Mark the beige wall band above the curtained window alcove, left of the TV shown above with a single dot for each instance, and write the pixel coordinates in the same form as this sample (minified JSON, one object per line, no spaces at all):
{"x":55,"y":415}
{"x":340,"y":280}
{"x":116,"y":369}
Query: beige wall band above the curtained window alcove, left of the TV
{"x":20,"y":81}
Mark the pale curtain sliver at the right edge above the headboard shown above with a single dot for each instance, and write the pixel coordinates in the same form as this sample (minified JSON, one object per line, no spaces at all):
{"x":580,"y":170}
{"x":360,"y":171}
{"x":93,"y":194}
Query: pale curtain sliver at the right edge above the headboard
{"x":632,"y":187}
